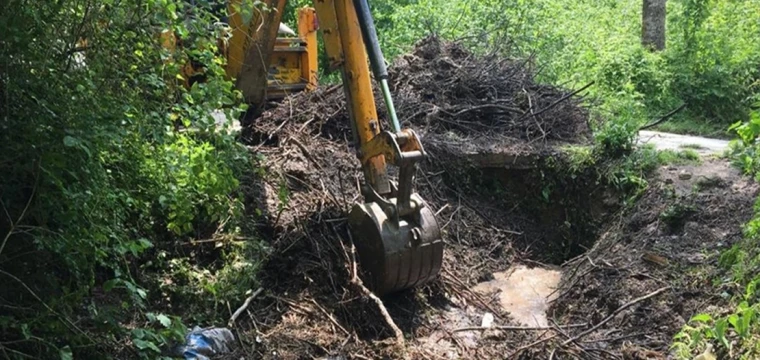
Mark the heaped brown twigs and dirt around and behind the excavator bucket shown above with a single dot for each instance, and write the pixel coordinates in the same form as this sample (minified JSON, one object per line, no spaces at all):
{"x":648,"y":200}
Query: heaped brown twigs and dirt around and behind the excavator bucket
{"x":455,"y":100}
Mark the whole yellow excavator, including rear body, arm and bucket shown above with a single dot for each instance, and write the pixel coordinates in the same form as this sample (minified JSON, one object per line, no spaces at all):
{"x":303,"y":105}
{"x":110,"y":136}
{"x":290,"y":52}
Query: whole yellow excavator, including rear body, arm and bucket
{"x":396,"y":234}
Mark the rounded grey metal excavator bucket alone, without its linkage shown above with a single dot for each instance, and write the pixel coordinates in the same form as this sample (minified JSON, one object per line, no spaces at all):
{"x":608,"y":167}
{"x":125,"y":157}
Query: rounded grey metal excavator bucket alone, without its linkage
{"x":396,"y":256}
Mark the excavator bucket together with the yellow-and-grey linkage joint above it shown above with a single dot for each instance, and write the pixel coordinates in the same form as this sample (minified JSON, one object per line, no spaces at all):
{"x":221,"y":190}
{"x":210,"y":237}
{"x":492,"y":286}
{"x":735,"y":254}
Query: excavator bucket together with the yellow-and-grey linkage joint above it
{"x":399,"y":240}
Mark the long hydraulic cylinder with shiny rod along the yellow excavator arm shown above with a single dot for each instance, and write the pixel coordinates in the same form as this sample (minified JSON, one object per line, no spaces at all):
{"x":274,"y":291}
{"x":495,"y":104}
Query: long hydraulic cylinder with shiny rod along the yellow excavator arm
{"x":369,"y":34}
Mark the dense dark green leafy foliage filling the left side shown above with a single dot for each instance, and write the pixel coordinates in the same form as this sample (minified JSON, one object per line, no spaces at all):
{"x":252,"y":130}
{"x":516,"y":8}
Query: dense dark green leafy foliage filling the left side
{"x":99,"y":184}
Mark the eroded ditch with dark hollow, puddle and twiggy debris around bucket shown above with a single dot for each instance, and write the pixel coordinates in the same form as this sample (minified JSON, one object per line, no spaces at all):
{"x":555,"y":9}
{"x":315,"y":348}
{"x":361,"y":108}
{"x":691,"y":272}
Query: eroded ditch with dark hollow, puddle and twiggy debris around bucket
{"x":505,"y":238}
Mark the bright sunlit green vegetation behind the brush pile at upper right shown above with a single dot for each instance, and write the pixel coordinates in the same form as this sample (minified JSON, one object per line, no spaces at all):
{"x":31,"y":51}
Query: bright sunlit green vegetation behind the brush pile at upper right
{"x":710,"y":62}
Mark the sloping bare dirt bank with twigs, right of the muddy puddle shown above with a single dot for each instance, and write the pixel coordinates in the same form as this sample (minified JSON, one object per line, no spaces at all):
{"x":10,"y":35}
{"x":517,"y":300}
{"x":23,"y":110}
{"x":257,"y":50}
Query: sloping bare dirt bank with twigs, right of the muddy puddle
{"x":651,"y":270}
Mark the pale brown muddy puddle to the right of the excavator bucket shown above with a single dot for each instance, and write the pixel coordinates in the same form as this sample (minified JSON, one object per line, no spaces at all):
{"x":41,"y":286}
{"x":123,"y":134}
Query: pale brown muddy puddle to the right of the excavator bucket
{"x":524,"y":292}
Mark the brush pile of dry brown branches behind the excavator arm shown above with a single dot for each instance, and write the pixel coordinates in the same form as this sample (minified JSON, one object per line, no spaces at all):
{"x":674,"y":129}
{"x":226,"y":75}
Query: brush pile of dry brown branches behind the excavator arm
{"x":442,"y":88}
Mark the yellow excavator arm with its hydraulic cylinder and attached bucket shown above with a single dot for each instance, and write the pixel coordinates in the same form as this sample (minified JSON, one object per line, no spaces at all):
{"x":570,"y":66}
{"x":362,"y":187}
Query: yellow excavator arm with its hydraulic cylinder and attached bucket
{"x":395,"y":232}
